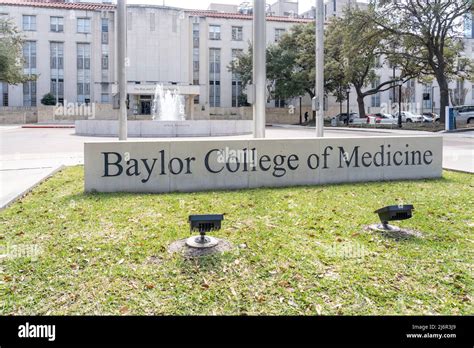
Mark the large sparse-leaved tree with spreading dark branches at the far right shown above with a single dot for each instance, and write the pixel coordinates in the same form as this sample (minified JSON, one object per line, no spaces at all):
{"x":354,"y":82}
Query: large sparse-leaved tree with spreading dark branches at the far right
{"x":429,"y":36}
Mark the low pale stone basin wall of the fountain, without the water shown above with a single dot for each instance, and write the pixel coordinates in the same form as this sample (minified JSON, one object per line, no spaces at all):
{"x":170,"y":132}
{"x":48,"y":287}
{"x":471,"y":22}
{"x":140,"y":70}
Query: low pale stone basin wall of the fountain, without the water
{"x":158,"y":129}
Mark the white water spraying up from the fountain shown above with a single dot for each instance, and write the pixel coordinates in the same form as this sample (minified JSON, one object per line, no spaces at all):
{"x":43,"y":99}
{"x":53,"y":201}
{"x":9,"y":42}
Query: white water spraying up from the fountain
{"x":168,"y":105}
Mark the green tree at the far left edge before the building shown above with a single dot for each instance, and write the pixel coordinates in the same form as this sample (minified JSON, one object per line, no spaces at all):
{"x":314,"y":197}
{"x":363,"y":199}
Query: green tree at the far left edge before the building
{"x":11,"y":60}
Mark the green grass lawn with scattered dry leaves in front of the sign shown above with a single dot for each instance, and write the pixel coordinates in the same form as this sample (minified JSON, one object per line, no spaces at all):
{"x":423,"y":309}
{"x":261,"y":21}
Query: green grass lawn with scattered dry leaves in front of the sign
{"x":298,"y":251}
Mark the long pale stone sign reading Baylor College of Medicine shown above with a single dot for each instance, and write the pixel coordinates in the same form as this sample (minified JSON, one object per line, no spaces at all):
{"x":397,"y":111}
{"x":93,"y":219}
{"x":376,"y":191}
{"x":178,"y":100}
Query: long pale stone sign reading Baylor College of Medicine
{"x":196,"y":165}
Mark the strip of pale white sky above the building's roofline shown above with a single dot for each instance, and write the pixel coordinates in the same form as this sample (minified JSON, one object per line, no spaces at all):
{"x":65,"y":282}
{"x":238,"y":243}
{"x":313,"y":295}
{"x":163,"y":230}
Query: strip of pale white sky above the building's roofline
{"x":304,"y":5}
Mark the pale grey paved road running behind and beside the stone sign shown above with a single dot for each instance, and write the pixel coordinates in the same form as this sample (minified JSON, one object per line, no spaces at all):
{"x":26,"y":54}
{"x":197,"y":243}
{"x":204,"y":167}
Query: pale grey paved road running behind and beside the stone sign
{"x":28,"y":155}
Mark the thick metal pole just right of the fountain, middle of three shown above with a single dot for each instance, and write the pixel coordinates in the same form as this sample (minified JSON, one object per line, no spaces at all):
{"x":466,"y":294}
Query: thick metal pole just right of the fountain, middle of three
{"x":259,"y":68}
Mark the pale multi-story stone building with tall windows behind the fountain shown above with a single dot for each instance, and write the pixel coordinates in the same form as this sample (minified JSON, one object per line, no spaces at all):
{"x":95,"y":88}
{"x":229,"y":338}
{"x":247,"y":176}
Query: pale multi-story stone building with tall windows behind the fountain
{"x":70,"y":46}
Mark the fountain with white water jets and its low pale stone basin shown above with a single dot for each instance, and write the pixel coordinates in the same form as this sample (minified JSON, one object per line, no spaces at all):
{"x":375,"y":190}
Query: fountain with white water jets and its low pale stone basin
{"x":168,"y":119}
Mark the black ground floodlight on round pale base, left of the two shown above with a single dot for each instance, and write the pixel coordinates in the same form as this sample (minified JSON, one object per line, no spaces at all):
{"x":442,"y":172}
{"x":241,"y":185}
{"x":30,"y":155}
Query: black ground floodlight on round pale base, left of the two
{"x":204,"y":224}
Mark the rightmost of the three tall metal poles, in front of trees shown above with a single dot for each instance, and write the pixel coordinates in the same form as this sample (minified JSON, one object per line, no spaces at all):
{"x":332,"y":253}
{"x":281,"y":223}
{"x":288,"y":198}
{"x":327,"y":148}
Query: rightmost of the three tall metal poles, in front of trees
{"x":319,"y":79}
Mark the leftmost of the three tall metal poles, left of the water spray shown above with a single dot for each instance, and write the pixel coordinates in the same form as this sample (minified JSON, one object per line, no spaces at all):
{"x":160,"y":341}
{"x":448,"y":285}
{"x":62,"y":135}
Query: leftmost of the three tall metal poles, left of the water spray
{"x":122,"y":73}
